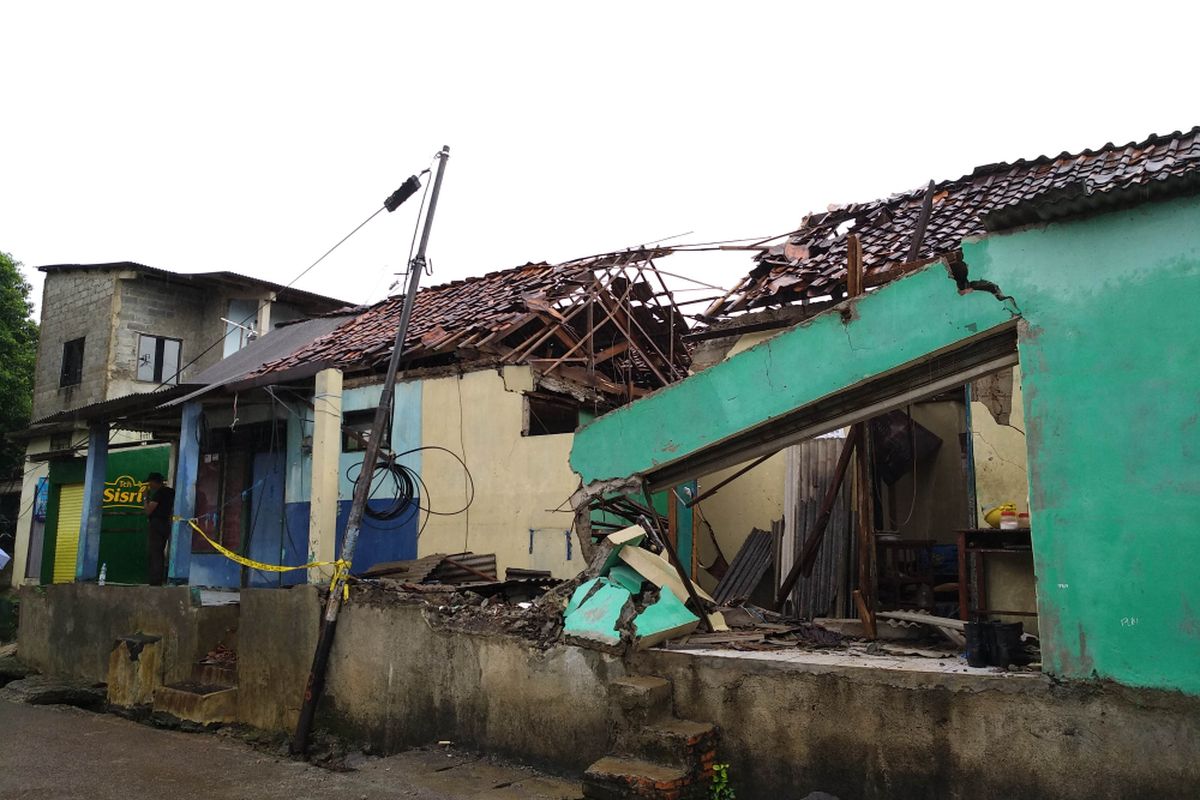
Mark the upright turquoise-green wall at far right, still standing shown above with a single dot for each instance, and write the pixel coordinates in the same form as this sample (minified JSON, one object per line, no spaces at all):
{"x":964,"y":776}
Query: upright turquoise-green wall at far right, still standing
{"x":1112,"y":377}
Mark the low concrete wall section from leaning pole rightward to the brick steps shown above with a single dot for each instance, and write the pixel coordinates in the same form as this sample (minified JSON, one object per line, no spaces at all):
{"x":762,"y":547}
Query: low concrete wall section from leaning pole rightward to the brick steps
{"x":395,"y":682}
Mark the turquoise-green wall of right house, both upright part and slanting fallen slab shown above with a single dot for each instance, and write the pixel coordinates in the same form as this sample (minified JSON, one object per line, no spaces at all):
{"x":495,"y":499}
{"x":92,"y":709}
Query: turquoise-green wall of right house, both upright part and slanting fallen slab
{"x":1111,"y":358}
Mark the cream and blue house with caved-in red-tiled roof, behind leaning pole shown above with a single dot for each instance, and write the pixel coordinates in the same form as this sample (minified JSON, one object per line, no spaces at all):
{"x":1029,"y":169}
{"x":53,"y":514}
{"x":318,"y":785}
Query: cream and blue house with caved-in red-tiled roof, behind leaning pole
{"x":499,"y":372}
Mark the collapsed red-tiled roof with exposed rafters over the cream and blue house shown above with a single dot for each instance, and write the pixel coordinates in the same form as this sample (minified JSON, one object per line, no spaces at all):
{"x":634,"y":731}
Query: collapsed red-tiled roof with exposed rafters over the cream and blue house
{"x":608,"y":323}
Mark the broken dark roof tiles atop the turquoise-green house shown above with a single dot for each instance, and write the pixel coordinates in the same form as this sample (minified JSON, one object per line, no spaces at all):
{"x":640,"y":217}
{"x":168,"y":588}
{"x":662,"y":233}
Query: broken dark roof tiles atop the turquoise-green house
{"x":813,"y":262}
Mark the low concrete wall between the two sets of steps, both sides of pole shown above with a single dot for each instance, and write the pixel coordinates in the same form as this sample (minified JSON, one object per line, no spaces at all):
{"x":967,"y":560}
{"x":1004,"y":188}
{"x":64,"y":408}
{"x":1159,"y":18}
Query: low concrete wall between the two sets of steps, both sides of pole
{"x":395,"y":682}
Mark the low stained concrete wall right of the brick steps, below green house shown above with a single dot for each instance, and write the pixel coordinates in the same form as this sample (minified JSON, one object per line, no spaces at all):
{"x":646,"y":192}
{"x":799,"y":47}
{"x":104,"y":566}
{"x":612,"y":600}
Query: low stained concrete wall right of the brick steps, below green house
{"x":789,"y":730}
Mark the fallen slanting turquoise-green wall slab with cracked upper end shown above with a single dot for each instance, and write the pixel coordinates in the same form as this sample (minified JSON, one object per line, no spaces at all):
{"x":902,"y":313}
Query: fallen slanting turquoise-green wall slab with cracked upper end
{"x":901,"y":323}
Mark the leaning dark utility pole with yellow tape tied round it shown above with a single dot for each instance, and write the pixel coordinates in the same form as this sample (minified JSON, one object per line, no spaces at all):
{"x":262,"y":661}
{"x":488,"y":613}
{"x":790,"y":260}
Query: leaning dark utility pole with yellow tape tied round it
{"x":316,"y":684}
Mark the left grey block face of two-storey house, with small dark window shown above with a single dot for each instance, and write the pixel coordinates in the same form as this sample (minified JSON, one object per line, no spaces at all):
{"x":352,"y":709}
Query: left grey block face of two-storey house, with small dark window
{"x":74,"y":305}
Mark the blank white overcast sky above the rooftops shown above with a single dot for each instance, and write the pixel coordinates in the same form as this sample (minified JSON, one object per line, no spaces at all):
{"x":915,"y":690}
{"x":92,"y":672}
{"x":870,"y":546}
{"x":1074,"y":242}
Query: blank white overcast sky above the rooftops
{"x":253,"y":136}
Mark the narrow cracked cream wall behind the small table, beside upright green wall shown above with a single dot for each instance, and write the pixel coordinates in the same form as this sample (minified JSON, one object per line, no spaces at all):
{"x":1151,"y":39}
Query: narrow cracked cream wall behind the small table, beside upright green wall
{"x":1000,"y":465}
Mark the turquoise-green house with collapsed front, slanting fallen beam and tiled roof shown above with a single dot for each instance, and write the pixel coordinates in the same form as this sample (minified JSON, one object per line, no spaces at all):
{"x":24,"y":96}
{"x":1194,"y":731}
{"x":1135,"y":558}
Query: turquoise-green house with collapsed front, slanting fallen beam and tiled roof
{"x":1012,"y":344}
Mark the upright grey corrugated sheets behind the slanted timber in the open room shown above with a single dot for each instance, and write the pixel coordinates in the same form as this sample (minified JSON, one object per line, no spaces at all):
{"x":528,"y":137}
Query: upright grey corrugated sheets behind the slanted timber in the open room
{"x":827,"y":592}
